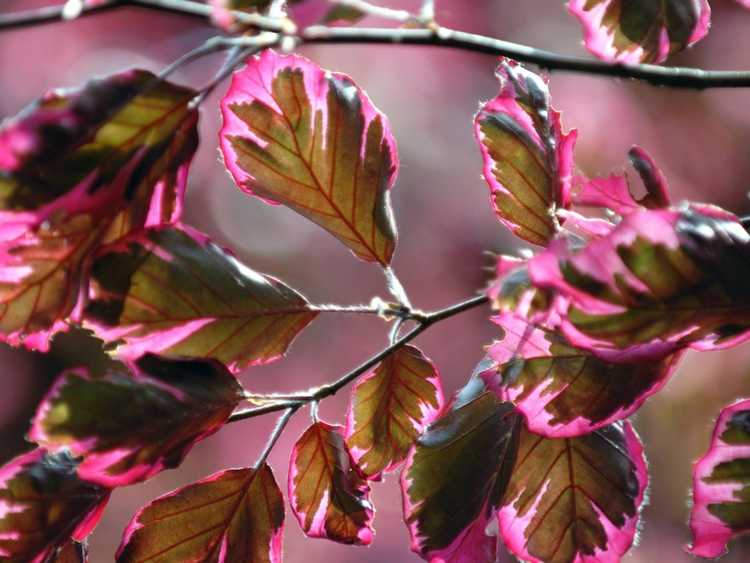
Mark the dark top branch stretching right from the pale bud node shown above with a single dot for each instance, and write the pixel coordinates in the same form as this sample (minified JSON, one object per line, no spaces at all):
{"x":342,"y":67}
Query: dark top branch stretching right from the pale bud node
{"x":678,"y":77}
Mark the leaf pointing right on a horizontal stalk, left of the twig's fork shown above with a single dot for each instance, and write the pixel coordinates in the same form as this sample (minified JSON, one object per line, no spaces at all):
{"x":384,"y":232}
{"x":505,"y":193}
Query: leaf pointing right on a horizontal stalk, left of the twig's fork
{"x":172,"y":291}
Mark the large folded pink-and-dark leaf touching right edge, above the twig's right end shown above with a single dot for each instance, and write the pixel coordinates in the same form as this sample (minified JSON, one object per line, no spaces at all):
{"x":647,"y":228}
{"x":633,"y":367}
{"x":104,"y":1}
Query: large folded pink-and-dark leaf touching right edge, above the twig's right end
{"x":661,"y":280}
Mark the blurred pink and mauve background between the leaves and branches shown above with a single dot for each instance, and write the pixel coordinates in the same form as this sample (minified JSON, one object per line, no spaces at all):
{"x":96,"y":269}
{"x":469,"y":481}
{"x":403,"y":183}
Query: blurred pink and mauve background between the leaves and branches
{"x":700,"y":139}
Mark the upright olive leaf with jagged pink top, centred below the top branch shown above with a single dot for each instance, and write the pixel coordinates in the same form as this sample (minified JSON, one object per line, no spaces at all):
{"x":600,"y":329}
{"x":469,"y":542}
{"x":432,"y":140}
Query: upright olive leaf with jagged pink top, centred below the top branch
{"x":310,"y":139}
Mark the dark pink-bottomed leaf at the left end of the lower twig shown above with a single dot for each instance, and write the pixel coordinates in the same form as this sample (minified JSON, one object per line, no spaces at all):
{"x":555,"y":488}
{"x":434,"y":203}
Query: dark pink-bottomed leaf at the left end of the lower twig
{"x":171,"y":405}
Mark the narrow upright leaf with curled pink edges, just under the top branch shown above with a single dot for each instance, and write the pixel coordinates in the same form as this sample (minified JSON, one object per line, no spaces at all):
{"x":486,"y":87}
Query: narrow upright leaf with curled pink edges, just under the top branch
{"x":528,"y":160}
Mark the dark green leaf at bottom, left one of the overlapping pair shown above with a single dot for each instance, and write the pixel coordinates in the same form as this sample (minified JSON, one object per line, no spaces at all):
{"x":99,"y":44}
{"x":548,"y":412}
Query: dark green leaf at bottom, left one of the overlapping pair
{"x":455,"y":478}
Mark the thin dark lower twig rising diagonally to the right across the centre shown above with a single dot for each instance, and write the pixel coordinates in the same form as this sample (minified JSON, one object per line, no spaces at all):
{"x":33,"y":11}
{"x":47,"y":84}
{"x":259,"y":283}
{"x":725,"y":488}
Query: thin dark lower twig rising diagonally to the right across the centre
{"x":332,"y":388}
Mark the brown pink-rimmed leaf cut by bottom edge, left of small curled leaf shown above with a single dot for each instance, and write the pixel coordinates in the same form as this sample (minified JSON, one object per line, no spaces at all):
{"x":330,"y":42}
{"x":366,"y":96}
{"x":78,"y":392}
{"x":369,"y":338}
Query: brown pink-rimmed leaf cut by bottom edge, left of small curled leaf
{"x":234,"y":515}
